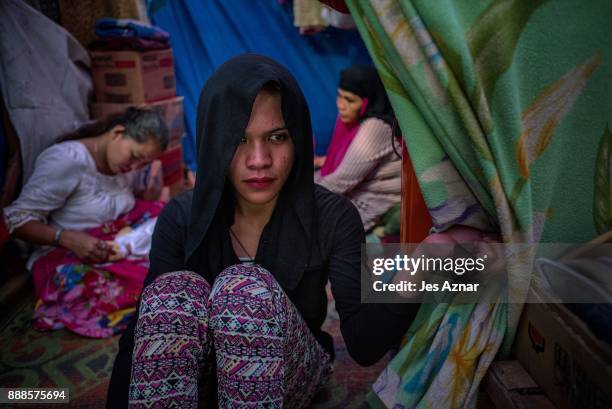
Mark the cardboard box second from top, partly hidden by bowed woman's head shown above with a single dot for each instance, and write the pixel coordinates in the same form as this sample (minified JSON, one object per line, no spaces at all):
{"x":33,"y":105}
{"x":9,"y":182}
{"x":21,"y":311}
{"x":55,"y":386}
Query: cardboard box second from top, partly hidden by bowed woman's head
{"x":170,"y":109}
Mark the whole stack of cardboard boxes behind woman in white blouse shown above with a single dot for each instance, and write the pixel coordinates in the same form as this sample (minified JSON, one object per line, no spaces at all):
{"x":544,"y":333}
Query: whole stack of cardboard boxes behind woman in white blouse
{"x":144,"y":79}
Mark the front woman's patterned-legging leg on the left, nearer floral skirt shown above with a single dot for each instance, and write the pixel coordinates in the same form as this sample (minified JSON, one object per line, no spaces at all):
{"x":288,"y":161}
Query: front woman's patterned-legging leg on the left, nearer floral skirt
{"x":171,"y":342}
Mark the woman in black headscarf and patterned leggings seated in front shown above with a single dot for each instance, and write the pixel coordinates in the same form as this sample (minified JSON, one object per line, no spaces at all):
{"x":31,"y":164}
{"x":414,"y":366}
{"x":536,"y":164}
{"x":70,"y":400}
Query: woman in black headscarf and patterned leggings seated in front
{"x":235,"y":295}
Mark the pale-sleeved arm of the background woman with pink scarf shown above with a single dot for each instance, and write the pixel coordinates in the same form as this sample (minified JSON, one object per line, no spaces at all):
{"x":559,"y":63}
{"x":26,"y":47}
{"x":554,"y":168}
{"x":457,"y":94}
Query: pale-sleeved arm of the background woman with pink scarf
{"x":371,"y":144}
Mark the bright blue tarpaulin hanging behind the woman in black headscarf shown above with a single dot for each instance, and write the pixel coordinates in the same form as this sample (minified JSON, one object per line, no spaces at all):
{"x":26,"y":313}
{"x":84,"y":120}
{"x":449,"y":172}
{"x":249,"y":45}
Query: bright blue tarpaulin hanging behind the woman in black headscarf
{"x":204,"y":34}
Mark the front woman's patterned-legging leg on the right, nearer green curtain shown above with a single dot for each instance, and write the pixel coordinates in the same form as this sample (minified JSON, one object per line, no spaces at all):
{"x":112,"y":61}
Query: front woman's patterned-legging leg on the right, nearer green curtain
{"x":266,"y":355}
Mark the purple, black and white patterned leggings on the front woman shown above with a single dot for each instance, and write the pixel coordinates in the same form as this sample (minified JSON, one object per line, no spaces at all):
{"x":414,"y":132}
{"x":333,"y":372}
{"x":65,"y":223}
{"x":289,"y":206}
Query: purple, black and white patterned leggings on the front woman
{"x":266,"y":357}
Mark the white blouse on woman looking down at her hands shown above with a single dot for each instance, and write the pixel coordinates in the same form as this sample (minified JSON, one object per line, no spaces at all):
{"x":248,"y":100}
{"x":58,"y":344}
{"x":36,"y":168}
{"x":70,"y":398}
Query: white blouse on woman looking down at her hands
{"x":66,"y":190}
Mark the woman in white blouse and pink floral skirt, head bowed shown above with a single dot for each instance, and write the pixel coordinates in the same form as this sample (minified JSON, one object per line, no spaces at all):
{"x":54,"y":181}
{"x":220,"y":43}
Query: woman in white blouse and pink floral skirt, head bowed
{"x":78,"y":199}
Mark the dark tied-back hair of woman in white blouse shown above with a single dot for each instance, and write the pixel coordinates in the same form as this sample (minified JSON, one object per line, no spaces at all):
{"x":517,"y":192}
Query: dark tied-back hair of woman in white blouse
{"x":141,"y":125}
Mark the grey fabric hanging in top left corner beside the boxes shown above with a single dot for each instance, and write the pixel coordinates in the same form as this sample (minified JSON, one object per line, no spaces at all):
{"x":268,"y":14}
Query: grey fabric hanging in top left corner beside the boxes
{"x":44,"y":79}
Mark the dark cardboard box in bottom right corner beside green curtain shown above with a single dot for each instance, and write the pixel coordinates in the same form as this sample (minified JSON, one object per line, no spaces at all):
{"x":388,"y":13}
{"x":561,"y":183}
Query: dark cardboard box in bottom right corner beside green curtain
{"x":571,"y":365}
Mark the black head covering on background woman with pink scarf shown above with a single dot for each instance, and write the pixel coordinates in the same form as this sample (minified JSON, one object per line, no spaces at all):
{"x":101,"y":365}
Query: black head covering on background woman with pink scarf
{"x":364,"y":81}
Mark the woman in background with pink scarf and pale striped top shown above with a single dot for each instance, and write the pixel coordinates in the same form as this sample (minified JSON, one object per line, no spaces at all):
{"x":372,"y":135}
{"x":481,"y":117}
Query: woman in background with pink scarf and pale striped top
{"x":362,"y":162}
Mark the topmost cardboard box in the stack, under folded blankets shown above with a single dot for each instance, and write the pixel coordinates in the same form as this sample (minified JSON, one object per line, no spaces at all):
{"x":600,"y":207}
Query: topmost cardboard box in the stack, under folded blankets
{"x":129,"y":77}
